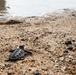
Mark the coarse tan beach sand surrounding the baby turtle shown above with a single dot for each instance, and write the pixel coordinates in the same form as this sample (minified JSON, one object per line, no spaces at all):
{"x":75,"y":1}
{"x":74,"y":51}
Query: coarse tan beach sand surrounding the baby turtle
{"x":45,"y":36}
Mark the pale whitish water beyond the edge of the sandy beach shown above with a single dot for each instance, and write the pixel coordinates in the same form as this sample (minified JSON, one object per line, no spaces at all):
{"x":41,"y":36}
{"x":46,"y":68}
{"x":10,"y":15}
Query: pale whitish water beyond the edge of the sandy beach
{"x":32,"y":7}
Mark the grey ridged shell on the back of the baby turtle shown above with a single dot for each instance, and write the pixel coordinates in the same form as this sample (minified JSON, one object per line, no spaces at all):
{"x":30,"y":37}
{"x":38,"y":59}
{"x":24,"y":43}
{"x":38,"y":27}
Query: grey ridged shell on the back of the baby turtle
{"x":17,"y":54}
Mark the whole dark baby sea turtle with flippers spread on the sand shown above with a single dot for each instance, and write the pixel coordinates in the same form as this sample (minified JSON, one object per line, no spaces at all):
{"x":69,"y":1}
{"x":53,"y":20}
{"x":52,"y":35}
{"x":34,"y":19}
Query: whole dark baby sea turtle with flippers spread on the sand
{"x":18,"y":54}
